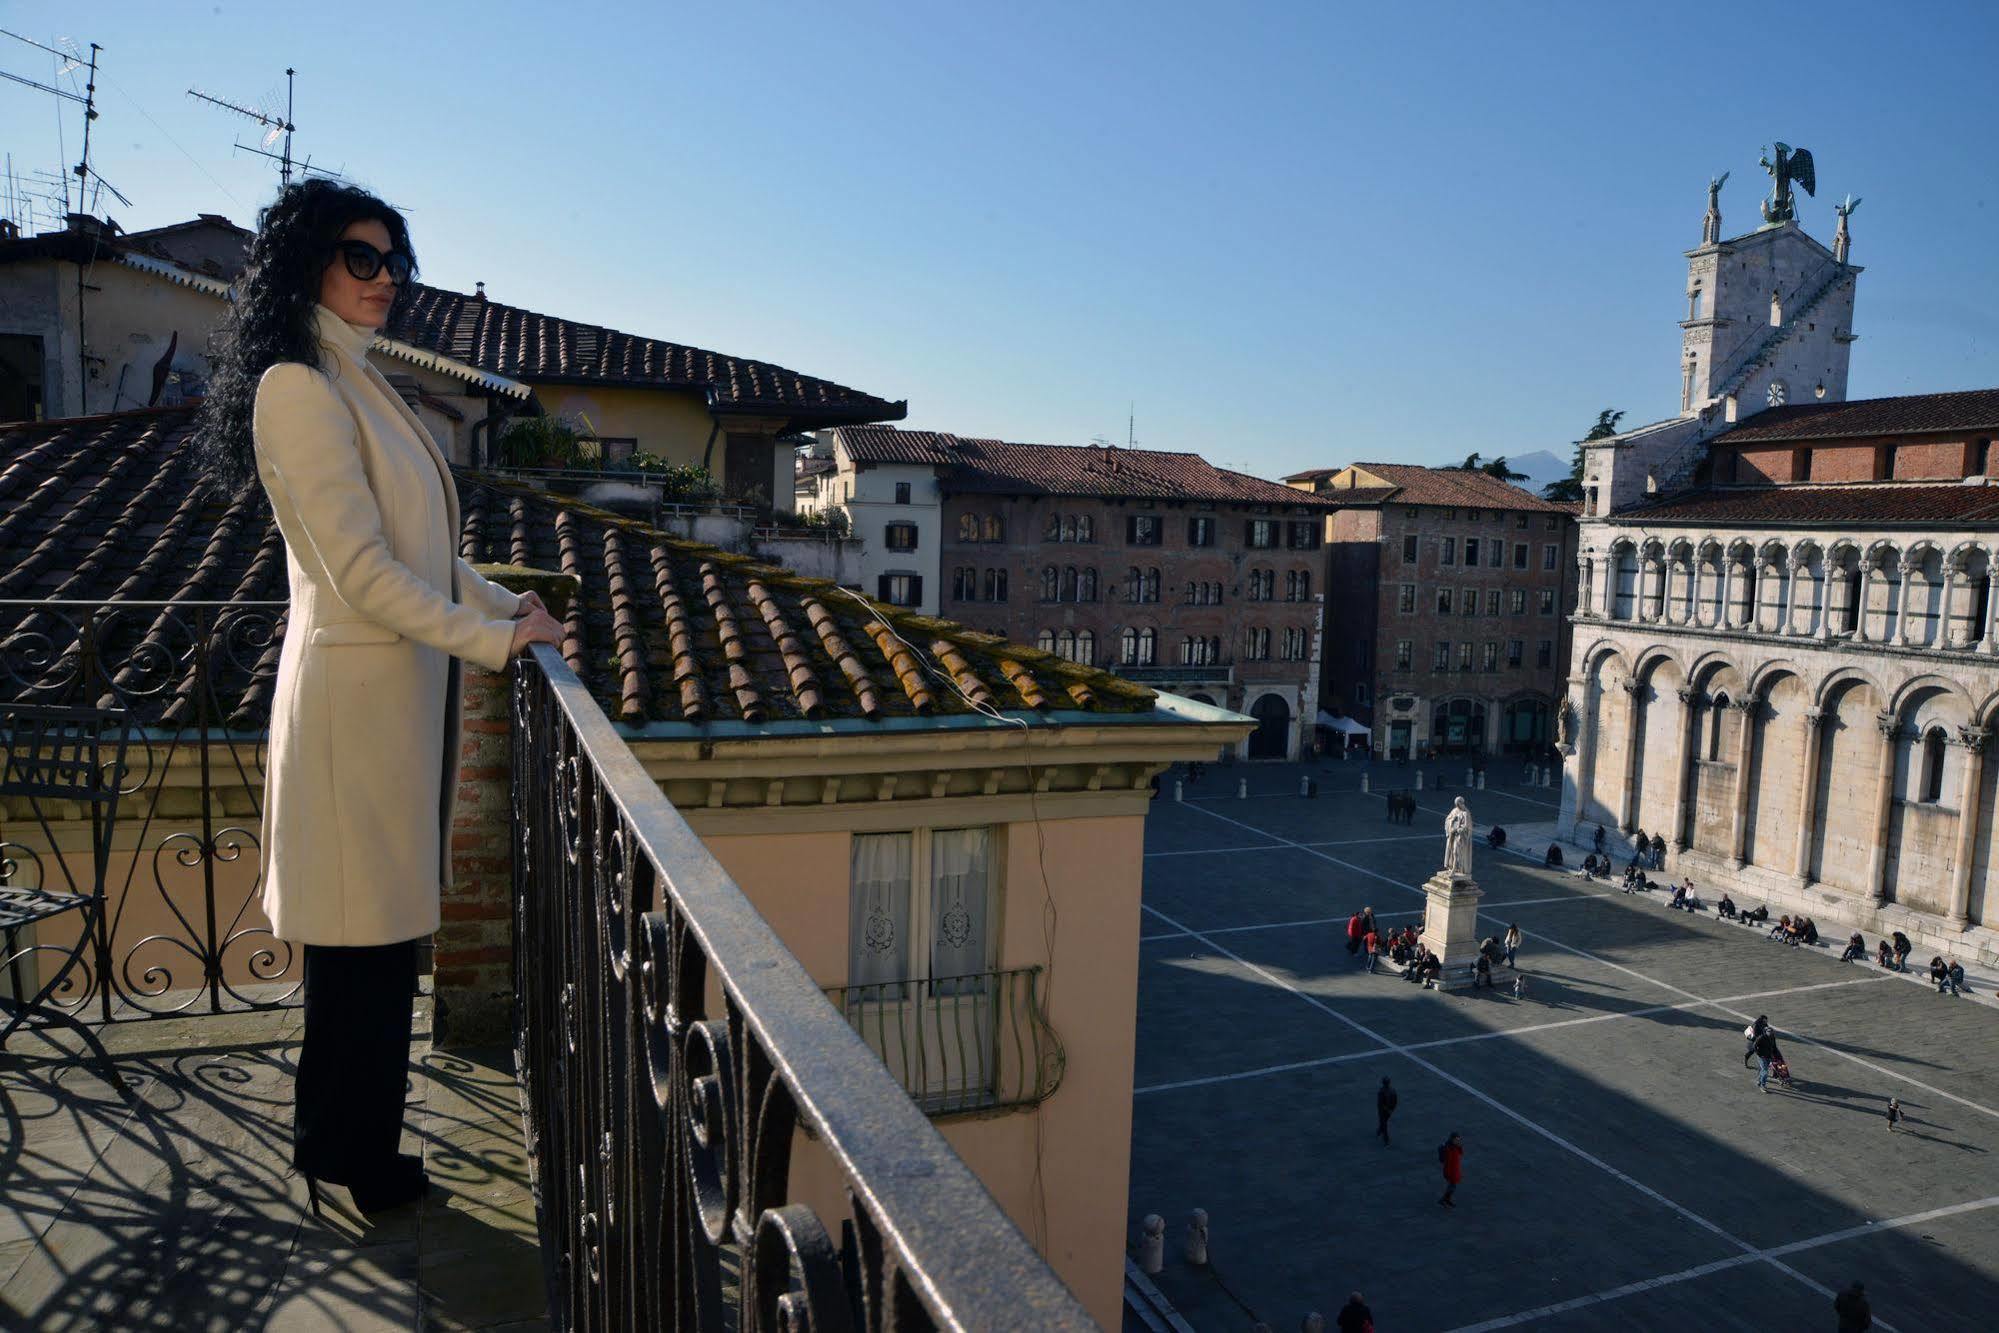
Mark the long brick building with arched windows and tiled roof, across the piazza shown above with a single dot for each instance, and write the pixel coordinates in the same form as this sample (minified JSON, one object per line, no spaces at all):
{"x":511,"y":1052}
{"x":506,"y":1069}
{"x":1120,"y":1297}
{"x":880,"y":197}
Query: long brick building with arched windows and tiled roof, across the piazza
{"x":1152,"y":565}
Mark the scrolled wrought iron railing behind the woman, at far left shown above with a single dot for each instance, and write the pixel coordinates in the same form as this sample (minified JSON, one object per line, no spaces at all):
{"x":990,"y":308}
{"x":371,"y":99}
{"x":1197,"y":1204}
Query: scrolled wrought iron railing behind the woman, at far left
{"x":197,"y":680}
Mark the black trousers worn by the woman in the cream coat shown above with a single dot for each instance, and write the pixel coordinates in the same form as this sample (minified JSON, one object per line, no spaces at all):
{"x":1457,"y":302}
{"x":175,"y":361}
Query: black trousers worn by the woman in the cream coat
{"x":355,"y":1060}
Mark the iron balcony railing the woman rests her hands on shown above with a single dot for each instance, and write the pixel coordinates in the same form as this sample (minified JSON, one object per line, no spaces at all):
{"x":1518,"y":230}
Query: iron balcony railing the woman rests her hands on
{"x":661,"y":1132}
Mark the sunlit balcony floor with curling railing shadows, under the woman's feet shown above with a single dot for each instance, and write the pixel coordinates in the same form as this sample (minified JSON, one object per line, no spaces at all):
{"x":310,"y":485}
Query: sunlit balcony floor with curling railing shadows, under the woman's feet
{"x":175,"y":1206}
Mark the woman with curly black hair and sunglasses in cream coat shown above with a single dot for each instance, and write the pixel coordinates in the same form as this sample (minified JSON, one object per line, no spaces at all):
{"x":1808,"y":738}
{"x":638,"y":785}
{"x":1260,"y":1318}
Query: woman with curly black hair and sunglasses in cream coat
{"x":365,"y":722}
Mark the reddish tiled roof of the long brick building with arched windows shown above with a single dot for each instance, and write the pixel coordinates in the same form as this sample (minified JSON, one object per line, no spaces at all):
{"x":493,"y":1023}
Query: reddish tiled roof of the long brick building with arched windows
{"x":997,"y":467}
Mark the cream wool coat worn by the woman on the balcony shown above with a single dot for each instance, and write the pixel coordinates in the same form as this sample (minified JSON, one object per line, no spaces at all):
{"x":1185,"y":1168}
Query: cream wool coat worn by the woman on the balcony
{"x":365,"y":724}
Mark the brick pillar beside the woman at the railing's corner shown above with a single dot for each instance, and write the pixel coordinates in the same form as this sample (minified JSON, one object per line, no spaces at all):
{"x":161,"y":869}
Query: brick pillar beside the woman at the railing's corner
{"x":475,"y":944}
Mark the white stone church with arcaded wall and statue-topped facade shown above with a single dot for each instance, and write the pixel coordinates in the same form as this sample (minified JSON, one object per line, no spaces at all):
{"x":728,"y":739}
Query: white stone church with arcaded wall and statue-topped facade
{"x":1786,"y":651}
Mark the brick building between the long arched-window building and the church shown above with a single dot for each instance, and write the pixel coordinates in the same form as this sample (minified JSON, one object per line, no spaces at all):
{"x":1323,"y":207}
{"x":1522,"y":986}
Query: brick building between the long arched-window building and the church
{"x":1452,"y":595}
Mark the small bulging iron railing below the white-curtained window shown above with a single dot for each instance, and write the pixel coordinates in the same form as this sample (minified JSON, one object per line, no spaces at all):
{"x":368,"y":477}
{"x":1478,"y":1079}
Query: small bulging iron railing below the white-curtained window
{"x":961,"y":1044}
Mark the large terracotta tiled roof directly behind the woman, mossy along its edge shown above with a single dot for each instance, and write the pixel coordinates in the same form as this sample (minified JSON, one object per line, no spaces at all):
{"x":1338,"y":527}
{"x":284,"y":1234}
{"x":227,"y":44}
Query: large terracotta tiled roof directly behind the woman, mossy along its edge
{"x":667,"y":631}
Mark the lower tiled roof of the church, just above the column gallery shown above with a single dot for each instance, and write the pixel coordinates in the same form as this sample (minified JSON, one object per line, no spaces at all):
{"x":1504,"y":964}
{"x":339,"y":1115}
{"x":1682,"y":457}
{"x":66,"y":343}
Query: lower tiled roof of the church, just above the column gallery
{"x":1856,"y":505}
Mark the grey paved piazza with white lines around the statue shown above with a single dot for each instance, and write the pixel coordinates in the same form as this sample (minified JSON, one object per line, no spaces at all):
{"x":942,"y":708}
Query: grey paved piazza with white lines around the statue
{"x":1622,"y":1170}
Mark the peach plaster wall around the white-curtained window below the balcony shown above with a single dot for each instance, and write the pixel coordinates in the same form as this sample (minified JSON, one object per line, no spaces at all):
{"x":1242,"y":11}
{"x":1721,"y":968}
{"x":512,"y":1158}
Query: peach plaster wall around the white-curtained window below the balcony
{"x":1074,"y":1208}
